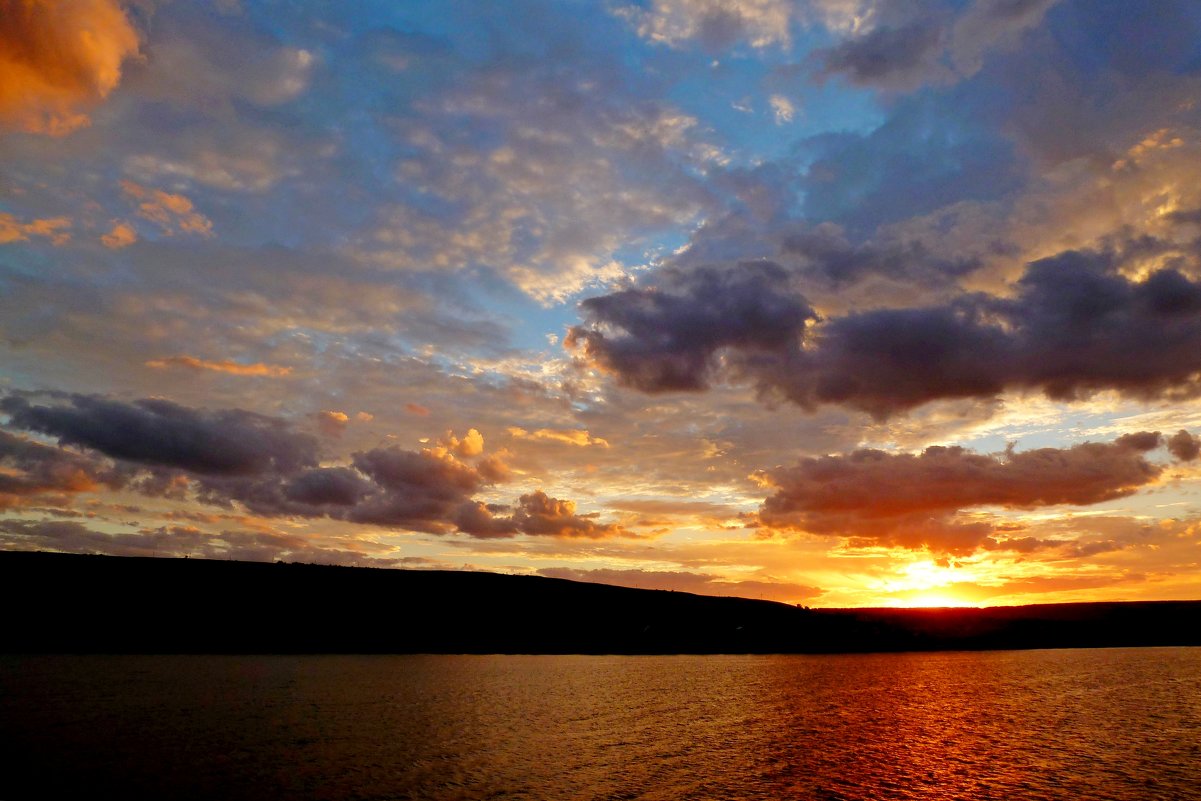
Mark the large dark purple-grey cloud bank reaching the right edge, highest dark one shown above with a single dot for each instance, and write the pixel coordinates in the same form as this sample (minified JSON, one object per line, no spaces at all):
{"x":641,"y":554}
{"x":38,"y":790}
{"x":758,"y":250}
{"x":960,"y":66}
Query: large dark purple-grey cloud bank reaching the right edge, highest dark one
{"x":1074,"y":326}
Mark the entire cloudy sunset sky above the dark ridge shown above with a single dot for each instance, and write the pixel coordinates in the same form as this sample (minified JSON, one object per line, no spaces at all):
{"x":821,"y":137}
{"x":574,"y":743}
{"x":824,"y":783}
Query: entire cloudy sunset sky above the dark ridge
{"x":839,"y":303}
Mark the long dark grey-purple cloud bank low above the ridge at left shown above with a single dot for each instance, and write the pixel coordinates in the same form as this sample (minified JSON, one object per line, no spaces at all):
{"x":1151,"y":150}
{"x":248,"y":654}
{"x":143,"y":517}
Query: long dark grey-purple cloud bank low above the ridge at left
{"x":231,"y":457}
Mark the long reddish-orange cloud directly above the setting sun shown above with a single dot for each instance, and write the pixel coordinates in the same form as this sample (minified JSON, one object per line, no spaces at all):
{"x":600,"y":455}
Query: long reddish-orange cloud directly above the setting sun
{"x":912,"y":500}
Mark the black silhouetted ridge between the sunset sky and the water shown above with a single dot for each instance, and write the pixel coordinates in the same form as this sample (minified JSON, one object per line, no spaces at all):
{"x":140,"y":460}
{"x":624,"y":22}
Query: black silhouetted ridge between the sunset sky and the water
{"x":103,"y":605}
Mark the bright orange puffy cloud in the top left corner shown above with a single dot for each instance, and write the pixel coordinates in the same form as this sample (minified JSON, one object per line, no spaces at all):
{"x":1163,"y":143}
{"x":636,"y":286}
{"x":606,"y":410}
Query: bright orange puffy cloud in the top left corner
{"x":58,"y":58}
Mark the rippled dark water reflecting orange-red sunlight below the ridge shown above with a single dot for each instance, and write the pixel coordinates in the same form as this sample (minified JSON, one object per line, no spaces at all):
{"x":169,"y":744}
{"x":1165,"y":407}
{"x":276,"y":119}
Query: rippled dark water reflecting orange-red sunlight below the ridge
{"x":1120,"y":724}
